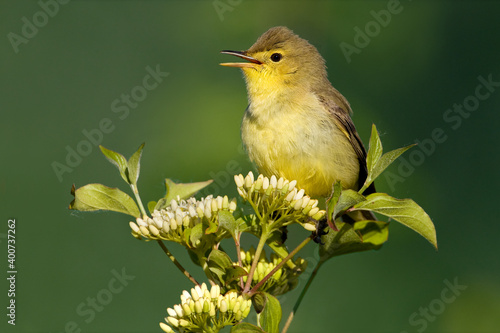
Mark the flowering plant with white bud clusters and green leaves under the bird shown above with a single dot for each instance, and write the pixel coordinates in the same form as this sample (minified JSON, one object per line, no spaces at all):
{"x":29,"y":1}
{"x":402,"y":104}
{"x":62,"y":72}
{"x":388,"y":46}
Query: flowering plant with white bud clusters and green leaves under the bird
{"x":252,"y":280}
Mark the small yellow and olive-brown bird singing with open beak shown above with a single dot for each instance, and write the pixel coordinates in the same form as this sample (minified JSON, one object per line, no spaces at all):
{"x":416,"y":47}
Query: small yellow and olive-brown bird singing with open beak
{"x":297,"y":125}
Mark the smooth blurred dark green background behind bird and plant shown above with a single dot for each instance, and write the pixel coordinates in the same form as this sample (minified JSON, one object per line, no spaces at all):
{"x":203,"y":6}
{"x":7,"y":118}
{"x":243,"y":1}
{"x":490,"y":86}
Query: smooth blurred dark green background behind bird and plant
{"x":64,"y":79}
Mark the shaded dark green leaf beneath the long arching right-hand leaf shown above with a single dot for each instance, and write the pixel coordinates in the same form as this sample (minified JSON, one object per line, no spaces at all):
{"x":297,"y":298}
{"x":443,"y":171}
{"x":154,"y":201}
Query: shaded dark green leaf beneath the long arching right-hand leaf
{"x":362,"y":236}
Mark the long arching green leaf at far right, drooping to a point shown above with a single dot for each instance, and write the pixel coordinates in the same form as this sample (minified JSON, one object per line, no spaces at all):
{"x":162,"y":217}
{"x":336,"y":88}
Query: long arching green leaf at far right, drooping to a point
{"x":405,"y":211}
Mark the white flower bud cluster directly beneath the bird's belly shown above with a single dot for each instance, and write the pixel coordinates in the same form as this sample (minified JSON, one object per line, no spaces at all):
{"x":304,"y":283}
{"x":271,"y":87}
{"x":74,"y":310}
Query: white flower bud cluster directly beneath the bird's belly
{"x":272,"y":195}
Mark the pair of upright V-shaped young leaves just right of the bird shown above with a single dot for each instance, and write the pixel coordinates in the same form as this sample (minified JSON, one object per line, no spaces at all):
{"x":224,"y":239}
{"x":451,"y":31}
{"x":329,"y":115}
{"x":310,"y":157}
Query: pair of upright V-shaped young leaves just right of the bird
{"x":376,"y":162}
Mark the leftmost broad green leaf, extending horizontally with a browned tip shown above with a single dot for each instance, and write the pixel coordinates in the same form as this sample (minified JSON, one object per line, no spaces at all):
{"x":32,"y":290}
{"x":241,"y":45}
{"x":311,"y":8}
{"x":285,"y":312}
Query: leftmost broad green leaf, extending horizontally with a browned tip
{"x":94,"y":197}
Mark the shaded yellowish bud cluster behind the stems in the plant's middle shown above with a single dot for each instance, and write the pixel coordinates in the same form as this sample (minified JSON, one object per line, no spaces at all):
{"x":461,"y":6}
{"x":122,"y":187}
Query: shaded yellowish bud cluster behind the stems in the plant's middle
{"x":285,"y":278}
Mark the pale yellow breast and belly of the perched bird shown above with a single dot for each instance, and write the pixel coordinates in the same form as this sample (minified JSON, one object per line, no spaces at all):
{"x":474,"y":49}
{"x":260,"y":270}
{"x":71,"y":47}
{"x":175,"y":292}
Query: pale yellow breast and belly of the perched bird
{"x":300,"y":143}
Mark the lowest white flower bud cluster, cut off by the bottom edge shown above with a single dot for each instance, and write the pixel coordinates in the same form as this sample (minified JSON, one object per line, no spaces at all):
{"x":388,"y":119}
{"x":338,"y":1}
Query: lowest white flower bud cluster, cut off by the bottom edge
{"x":205,"y":310}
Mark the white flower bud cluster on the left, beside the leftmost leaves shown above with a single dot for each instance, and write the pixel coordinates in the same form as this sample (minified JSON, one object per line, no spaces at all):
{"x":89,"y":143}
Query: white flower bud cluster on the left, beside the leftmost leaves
{"x":172,"y":222}
